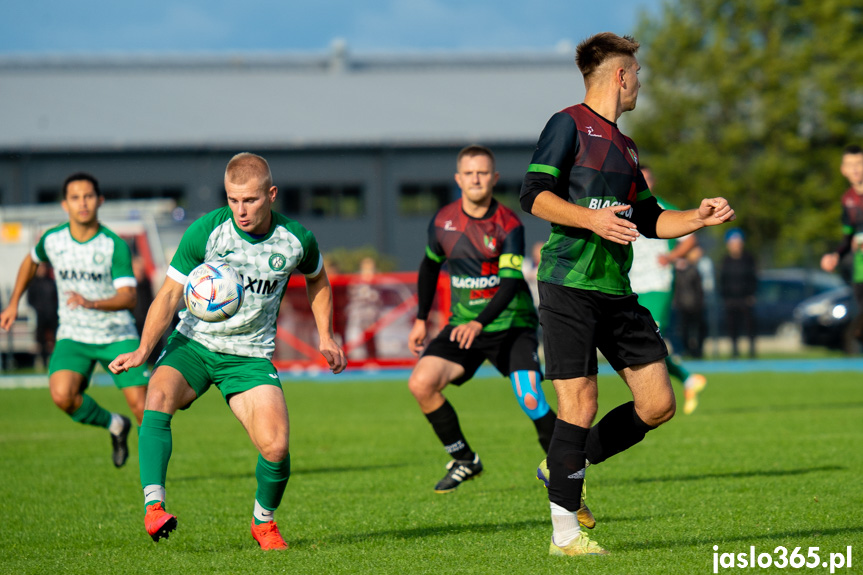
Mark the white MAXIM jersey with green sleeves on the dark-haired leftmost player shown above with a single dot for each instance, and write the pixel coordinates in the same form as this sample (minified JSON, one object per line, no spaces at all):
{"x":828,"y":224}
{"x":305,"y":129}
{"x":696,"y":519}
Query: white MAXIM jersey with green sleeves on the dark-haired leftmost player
{"x":96,"y":269}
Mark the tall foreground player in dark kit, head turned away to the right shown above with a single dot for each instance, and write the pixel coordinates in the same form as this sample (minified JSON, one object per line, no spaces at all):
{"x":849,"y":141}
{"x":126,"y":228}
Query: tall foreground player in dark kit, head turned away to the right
{"x":584,"y":178}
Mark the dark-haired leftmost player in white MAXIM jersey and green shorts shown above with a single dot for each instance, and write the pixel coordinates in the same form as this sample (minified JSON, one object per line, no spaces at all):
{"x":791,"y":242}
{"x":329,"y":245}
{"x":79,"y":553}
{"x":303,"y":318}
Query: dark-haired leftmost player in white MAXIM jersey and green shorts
{"x":97,"y":290}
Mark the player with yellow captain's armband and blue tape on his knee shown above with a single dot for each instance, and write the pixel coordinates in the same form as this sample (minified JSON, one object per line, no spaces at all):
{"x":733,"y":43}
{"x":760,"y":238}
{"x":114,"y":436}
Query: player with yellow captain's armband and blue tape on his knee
{"x":493,"y":316}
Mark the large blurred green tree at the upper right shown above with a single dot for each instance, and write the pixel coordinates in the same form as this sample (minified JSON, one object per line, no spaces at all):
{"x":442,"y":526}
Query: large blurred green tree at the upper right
{"x":754,"y":100}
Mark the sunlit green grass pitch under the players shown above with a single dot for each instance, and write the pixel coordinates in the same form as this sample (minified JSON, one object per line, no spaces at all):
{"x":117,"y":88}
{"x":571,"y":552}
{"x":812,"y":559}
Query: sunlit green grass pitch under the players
{"x":767,"y":460}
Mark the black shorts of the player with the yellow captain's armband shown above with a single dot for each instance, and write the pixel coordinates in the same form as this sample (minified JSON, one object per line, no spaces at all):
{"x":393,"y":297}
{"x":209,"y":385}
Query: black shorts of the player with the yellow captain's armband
{"x":508,"y":350}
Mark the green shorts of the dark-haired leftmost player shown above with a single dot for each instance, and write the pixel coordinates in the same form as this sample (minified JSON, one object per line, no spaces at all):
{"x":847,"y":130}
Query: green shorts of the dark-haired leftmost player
{"x":82,"y":357}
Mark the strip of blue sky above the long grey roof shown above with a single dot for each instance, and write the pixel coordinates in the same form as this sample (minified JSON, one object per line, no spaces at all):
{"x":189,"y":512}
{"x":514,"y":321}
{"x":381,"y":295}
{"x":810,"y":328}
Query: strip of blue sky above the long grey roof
{"x":208,"y":26}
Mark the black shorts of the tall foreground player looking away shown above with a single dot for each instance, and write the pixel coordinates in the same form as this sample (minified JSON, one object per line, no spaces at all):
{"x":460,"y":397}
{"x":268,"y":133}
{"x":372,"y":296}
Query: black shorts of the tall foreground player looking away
{"x":577,"y":322}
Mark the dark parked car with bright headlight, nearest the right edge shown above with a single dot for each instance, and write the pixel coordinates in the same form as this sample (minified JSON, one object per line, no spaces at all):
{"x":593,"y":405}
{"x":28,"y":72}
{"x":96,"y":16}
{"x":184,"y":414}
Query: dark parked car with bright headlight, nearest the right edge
{"x":825,"y":319}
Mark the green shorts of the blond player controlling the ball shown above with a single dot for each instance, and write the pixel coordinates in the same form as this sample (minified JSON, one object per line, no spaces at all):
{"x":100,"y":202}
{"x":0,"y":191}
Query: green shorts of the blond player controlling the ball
{"x":203,"y":368}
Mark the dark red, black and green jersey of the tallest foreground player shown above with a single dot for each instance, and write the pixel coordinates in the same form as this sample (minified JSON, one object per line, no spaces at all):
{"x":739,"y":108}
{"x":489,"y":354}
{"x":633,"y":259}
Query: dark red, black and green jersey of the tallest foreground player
{"x":586,"y":160}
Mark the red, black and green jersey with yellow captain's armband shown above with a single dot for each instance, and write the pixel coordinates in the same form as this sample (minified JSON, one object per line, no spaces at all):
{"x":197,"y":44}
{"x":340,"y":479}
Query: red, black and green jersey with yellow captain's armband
{"x":479,"y":252}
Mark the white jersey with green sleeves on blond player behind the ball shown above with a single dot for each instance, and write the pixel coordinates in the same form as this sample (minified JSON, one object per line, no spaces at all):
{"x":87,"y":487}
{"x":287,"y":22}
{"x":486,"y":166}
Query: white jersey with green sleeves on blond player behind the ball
{"x":265,"y":265}
